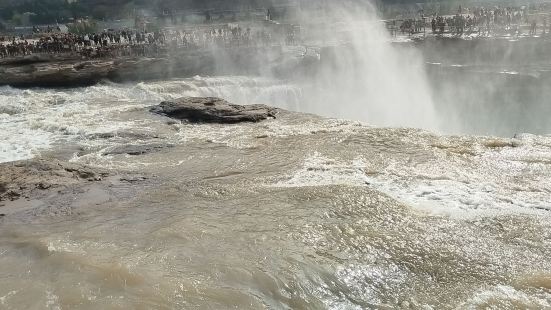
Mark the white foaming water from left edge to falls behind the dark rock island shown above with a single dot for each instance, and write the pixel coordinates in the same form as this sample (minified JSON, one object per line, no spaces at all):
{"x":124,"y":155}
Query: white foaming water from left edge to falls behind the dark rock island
{"x":35,"y":120}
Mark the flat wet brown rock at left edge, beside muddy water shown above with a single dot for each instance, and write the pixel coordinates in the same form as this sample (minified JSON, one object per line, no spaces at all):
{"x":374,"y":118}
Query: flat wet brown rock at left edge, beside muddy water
{"x":36,"y":190}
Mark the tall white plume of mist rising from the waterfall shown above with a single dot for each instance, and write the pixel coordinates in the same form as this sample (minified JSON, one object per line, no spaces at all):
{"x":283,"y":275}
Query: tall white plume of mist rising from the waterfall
{"x":363,"y":77}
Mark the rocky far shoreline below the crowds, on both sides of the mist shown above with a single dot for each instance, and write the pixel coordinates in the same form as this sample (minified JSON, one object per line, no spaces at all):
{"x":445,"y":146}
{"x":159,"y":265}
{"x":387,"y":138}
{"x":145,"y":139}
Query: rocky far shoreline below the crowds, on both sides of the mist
{"x":67,"y":70}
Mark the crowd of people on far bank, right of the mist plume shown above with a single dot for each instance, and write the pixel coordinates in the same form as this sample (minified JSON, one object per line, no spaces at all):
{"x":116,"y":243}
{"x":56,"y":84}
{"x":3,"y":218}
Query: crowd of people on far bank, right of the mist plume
{"x":483,"y":21}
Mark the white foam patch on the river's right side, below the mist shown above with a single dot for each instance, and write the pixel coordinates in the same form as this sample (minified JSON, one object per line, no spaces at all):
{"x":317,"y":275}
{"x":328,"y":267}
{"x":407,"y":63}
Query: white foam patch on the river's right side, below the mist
{"x":493,"y":188}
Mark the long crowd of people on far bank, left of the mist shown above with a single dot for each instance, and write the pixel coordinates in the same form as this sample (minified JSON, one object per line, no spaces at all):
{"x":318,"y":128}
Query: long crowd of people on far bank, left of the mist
{"x":132,"y":42}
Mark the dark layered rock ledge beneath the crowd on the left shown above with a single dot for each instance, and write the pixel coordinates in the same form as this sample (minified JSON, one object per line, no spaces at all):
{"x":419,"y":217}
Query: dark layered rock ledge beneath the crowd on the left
{"x":70,"y":71}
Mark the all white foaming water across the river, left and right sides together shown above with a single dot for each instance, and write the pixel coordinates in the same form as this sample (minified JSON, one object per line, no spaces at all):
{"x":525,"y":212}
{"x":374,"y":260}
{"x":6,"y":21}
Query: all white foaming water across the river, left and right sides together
{"x":88,"y":121}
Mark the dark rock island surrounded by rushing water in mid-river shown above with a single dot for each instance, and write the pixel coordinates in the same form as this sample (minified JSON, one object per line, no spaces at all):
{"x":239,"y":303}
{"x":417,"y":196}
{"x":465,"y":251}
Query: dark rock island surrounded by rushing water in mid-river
{"x":213,"y":110}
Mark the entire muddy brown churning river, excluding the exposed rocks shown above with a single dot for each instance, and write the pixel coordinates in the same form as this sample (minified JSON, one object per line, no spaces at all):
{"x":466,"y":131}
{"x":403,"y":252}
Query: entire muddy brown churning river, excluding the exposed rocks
{"x":300,"y":212}
